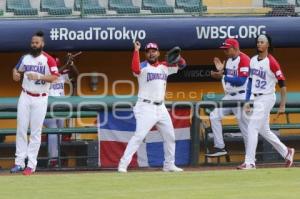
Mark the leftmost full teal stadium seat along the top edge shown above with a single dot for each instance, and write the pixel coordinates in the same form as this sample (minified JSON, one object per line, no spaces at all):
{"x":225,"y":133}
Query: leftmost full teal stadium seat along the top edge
{"x":20,"y":7}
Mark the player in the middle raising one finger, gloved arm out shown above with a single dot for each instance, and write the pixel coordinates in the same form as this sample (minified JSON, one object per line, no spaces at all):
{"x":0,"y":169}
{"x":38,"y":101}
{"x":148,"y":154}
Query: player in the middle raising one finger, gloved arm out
{"x":150,"y":109}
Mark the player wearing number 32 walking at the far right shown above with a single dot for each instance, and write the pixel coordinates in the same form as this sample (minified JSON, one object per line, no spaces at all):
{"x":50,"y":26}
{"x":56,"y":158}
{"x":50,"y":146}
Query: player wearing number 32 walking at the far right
{"x":265,"y":73}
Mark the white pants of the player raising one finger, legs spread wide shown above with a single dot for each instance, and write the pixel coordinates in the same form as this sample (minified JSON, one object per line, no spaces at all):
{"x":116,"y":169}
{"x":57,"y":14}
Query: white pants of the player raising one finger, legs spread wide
{"x":149,"y":115}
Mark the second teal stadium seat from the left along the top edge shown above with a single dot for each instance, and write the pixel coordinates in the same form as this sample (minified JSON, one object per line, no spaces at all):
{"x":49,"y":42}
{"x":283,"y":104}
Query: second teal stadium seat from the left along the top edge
{"x":55,"y":7}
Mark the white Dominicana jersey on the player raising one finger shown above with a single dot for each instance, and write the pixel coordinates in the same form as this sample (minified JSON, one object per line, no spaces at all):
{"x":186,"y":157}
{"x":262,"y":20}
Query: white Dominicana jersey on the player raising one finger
{"x":152,"y":80}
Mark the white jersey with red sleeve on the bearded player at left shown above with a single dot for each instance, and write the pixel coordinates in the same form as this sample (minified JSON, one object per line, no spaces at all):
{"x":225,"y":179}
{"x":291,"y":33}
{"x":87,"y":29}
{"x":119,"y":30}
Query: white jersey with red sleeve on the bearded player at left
{"x":44,"y":64}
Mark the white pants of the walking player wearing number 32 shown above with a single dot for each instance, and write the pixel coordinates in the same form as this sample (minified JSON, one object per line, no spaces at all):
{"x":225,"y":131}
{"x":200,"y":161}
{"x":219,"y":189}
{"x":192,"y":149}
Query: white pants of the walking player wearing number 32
{"x":259,"y":124}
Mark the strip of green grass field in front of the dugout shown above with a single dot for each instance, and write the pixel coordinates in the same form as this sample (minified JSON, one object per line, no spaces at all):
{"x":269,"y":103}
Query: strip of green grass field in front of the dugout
{"x":225,"y":184}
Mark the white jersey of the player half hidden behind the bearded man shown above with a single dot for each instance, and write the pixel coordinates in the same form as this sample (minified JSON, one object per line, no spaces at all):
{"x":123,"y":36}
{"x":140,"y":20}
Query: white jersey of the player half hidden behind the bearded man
{"x":57,"y":88}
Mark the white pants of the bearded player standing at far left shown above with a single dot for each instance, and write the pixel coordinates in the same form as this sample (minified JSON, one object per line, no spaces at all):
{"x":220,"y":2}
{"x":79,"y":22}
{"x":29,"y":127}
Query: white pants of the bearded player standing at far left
{"x":31,"y":112}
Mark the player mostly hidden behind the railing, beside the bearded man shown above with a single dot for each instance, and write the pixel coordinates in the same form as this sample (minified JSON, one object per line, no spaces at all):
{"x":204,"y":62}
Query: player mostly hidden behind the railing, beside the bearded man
{"x":57,"y":89}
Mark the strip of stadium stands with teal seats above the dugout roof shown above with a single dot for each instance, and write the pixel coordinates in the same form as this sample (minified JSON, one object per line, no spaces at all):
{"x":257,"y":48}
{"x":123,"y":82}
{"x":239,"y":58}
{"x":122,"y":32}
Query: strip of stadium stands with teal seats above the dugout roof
{"x":86,"y":8}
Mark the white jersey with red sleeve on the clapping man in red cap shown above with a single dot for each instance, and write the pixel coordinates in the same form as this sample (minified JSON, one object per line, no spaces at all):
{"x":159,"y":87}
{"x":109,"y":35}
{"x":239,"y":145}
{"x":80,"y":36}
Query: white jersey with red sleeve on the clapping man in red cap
{"x":237,"y":67}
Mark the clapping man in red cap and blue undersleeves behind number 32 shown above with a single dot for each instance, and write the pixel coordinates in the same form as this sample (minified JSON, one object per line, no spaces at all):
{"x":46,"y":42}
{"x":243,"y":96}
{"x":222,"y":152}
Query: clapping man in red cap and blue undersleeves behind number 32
{"x":234,"y":79}
